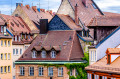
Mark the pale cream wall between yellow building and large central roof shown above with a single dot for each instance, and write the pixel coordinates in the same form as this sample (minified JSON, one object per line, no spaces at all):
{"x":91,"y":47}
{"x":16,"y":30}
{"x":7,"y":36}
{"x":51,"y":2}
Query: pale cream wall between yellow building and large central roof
{"x":16,"y":57}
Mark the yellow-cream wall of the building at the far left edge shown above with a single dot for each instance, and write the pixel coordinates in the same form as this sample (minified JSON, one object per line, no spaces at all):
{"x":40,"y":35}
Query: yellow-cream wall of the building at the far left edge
{"x":6,"y":49}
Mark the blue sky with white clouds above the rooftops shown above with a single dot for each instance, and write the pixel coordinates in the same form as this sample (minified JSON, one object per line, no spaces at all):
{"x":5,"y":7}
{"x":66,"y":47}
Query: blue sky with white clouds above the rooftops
{"x":105,"y":5}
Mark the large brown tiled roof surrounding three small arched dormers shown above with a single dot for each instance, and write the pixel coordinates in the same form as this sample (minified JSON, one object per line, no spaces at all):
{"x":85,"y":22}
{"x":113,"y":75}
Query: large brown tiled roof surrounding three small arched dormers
{"x":65,"y":41}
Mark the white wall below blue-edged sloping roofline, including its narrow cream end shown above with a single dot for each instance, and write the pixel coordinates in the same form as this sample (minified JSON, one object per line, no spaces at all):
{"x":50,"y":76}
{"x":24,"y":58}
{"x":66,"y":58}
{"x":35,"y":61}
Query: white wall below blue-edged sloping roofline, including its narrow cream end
{"x":111,"y":42}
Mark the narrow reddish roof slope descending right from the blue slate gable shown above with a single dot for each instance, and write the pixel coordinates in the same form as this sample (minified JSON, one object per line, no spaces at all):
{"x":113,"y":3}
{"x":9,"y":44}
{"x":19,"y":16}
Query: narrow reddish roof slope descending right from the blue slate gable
{"x":69,"y":22}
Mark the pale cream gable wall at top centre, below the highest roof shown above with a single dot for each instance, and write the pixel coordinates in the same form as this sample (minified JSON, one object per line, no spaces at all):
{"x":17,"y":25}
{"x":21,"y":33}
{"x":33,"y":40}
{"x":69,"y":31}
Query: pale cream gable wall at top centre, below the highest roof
{"x":66,"y":9}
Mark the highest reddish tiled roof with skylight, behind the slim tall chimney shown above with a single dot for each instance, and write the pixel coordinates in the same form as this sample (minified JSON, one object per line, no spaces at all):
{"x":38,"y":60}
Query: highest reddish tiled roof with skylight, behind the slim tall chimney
{"x":86,"y":13}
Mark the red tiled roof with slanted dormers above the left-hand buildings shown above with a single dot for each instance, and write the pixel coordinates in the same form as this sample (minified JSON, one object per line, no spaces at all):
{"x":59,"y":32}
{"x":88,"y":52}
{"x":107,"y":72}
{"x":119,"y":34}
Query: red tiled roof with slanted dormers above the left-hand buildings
{"x":16,"y":24}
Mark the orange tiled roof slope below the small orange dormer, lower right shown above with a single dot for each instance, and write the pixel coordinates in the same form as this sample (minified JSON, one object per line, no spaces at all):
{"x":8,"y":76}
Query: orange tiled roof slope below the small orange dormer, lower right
{"x":102,"y":66}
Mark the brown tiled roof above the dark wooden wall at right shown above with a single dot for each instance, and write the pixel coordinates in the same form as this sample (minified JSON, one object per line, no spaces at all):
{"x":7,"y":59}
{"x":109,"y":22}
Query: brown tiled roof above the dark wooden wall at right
{"x":106,"y":20}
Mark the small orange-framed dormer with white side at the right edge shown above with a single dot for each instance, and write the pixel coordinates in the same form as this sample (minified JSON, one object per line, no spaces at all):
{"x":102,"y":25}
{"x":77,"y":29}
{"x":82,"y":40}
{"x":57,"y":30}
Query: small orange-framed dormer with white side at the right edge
{"x":112,"y":54}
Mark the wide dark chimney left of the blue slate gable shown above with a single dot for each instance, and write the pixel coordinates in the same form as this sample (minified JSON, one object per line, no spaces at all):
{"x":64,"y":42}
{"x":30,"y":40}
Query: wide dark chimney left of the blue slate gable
{"x":43,"y":26}
